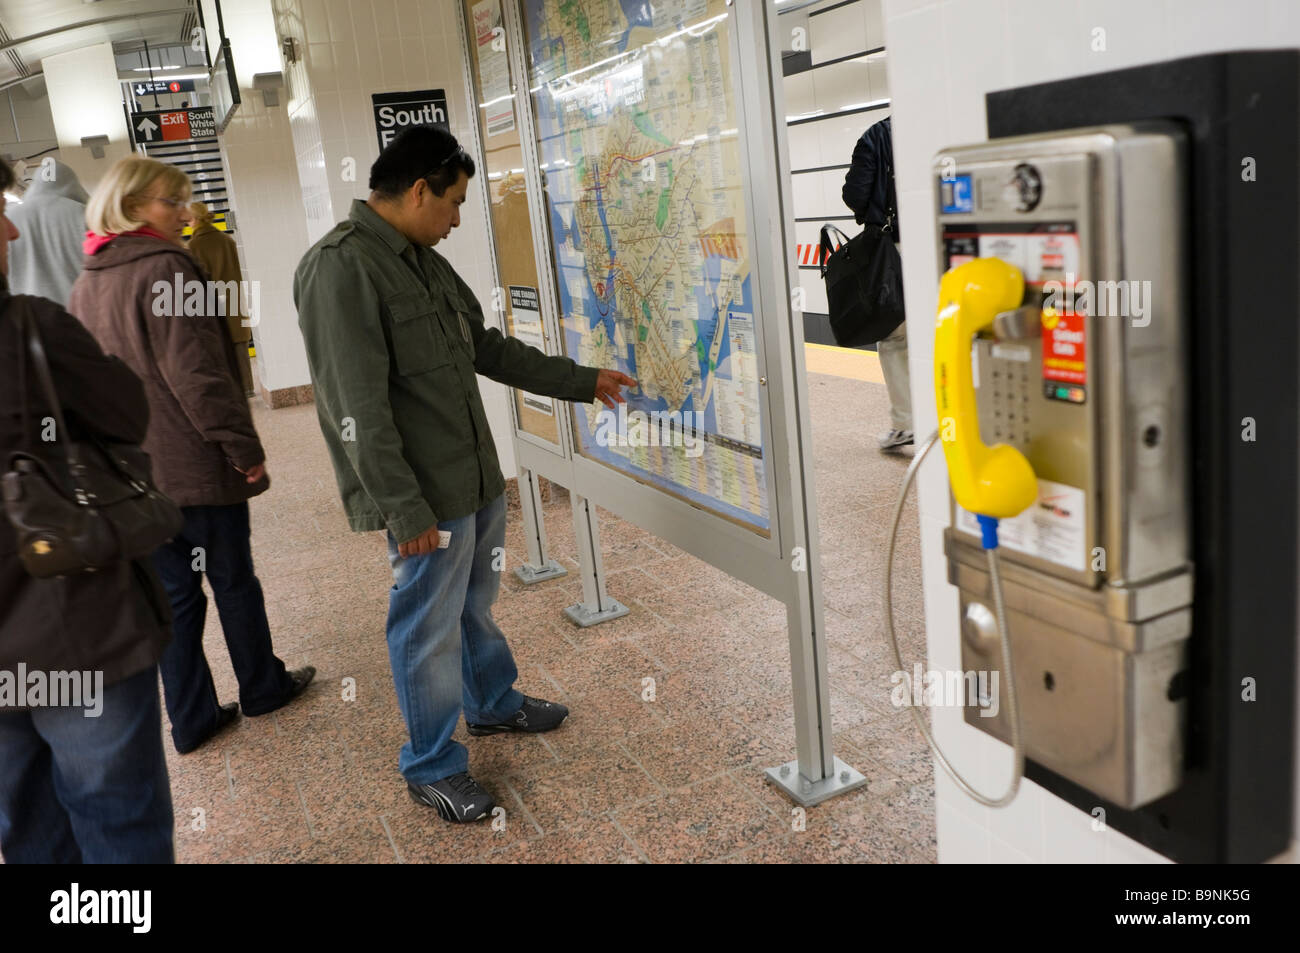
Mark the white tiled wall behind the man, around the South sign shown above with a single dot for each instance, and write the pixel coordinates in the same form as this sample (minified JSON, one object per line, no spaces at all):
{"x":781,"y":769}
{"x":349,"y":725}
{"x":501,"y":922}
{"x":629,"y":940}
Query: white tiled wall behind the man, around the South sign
{"x":350,"y":51}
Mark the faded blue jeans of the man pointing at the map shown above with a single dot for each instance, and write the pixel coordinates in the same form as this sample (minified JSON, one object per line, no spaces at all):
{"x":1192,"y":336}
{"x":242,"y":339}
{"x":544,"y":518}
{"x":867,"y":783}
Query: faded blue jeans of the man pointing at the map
{"x":447,"y":652}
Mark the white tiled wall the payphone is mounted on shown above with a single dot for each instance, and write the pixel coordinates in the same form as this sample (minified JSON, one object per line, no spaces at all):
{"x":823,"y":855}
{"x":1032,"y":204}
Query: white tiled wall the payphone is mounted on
{"x":943,"y":59}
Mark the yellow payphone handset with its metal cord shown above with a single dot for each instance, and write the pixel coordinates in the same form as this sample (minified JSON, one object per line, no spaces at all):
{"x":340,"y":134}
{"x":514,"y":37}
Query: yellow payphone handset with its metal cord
{"x":993,"y":483}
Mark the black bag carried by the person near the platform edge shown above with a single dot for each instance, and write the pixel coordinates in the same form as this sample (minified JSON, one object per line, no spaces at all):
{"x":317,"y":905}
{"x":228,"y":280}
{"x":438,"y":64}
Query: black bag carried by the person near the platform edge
{"x":864,"y":285}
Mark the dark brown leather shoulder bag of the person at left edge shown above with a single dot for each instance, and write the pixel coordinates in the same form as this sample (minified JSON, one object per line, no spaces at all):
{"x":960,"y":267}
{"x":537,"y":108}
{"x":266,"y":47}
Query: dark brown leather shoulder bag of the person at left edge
{"x":92,"y":509}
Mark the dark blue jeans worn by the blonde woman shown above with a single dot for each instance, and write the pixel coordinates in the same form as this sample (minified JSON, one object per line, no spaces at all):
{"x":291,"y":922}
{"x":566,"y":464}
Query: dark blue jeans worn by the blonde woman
{"x":265,"y":686}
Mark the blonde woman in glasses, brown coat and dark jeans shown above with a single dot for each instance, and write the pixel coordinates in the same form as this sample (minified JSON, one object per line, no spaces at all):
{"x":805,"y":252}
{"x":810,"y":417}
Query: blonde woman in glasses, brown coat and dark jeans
{"x":133,"y":298}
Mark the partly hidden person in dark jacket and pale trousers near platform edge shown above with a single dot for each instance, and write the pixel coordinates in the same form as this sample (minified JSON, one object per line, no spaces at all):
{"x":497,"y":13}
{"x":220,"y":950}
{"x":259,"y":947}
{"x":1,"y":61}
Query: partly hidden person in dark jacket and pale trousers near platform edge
{"x":869,"y":192}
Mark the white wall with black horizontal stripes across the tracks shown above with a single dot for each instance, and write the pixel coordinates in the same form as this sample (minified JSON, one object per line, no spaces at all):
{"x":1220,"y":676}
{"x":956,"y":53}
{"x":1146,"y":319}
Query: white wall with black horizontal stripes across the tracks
{"x":829,"y":33}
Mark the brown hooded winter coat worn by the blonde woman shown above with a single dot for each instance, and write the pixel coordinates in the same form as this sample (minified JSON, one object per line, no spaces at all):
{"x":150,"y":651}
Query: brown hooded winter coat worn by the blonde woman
{"x":201,"y":430}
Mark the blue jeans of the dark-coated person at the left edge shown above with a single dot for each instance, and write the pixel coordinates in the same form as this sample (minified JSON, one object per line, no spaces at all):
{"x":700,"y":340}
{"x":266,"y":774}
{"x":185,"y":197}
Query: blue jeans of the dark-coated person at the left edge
{"x":80,"y":790}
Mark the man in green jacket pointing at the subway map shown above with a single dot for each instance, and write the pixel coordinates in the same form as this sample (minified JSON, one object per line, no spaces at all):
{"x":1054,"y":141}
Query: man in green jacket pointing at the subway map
{"x":395,"y":341}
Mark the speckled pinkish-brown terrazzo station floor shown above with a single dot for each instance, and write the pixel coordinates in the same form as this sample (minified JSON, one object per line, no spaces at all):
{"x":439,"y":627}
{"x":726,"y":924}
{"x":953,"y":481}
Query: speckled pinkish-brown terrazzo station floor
{"x":677,"y":779}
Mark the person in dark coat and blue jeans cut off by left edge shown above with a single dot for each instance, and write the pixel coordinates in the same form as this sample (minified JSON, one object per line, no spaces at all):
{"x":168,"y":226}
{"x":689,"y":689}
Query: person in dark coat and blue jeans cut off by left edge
{"x":80,"y":783}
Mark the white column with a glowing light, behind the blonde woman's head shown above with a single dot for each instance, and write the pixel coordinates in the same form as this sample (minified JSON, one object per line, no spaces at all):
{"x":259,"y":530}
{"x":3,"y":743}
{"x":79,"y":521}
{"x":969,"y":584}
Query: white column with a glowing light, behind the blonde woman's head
{"x":86,"y":99}
